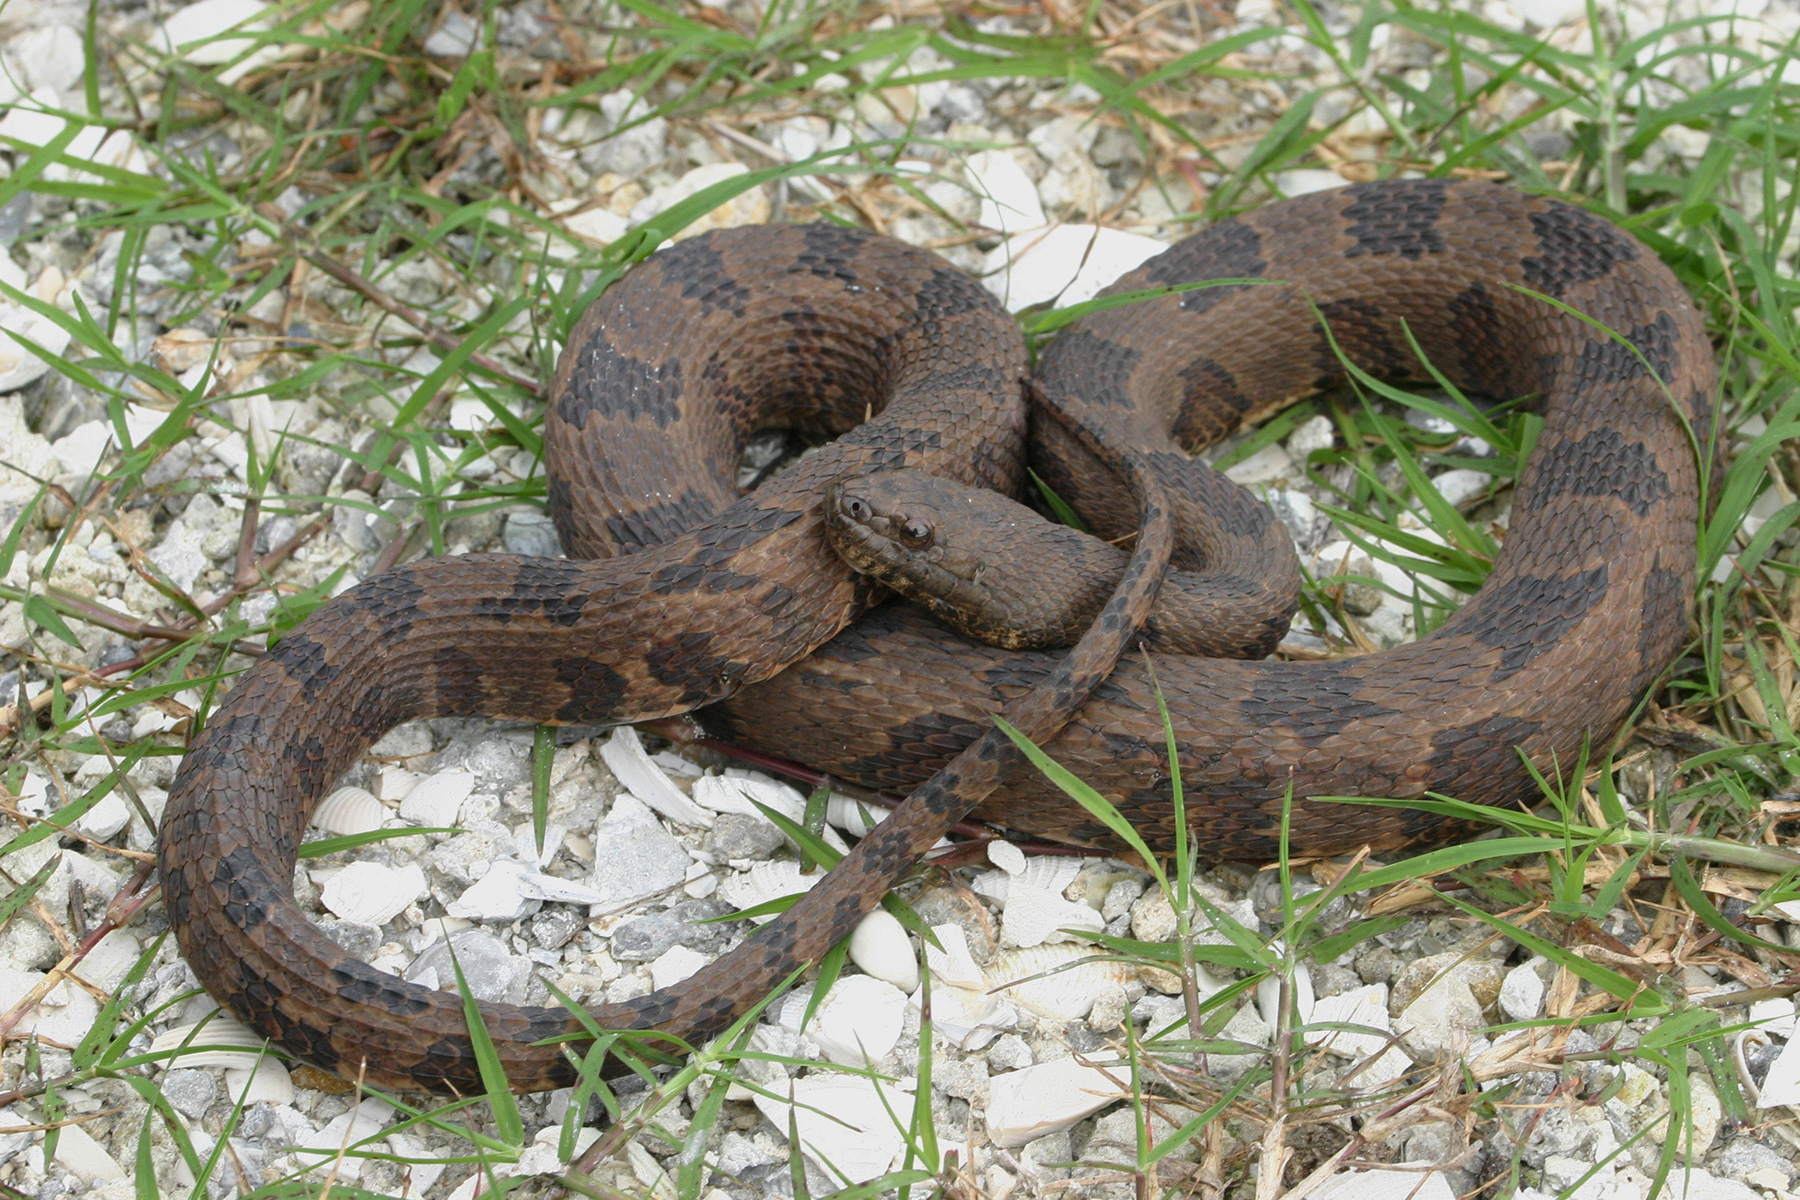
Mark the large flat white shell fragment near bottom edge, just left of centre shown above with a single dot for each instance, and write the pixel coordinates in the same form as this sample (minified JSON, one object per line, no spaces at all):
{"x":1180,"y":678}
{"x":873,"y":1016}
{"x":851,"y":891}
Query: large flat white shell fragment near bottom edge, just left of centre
{"x":845,"y":1124}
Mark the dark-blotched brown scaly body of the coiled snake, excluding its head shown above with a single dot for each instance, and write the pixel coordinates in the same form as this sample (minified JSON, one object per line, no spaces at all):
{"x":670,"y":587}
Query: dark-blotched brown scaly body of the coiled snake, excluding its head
{"x":712,"y":598}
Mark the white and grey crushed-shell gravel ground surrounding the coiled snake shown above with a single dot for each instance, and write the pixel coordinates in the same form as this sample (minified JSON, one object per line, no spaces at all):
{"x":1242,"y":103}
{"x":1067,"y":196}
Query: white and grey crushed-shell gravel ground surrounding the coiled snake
{"x":645,"y":841}
